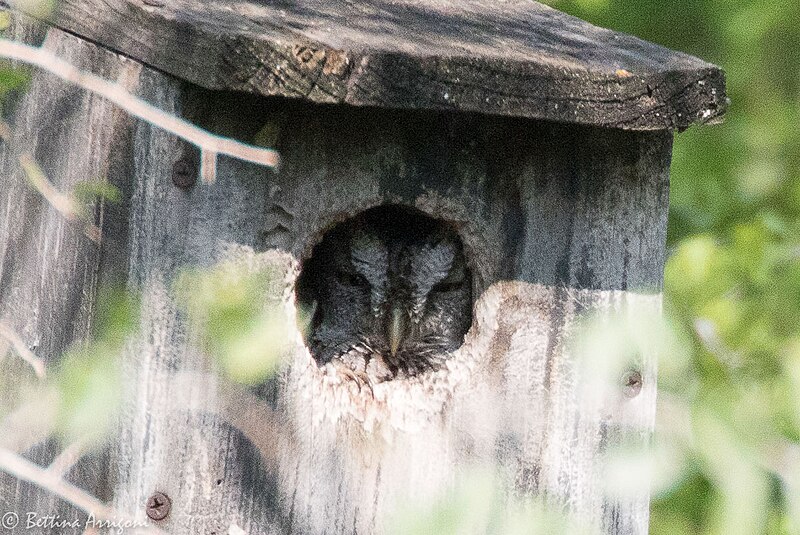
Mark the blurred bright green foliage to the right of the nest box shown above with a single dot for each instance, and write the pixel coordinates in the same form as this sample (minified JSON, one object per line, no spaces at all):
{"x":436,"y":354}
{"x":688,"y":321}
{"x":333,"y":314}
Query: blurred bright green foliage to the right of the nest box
{"x":733,"y":278}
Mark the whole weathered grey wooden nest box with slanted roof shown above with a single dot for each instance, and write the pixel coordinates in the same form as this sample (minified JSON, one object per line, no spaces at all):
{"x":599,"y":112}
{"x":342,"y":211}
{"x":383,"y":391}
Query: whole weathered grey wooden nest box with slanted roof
{"x":540,"y":143}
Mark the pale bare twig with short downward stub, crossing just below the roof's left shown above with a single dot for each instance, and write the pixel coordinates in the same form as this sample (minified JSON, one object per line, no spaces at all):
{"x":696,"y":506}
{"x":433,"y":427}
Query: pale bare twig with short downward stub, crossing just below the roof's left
{"x":209,"y":144}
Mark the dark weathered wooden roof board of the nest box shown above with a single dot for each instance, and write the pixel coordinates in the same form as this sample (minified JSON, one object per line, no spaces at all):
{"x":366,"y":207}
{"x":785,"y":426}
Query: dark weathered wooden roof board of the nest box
{"x":513,"y":58}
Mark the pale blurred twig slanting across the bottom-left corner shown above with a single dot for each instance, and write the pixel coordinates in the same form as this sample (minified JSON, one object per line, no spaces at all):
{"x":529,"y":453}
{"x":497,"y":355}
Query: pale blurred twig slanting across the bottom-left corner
{"x":21,"y":468}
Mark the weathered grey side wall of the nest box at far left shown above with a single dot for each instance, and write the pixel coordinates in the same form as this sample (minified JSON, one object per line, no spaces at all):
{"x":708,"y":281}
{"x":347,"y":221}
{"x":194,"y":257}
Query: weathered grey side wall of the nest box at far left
{"x":49,"y":270}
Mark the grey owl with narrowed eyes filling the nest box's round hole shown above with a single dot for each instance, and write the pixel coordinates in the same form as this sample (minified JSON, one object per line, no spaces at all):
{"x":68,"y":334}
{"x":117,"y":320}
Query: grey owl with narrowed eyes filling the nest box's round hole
{"x":391,"y":293}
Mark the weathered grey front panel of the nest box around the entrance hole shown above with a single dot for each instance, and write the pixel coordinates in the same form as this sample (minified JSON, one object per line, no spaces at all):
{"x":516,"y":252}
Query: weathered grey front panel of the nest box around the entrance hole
{"x":527,"y":210}
